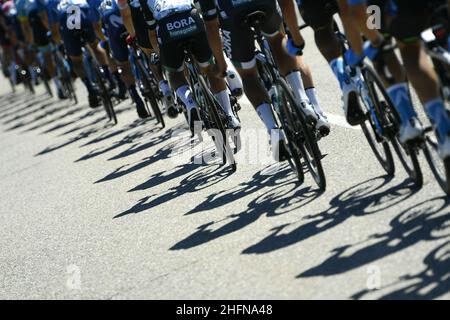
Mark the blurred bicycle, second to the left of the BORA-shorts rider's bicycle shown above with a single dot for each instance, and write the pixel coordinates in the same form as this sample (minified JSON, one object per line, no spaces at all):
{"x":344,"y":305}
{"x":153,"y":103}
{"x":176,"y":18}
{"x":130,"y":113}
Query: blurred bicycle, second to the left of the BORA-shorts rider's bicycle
{"x":96,"y":74}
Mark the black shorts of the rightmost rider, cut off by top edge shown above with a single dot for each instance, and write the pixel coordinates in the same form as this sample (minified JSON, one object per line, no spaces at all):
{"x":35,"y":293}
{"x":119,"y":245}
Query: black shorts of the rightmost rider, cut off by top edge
{"x":412,"y":17}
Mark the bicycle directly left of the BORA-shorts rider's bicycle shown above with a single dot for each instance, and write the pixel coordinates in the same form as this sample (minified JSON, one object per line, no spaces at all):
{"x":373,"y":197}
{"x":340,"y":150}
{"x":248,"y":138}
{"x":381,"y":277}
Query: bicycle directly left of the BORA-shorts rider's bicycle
{"x":148,"y":83}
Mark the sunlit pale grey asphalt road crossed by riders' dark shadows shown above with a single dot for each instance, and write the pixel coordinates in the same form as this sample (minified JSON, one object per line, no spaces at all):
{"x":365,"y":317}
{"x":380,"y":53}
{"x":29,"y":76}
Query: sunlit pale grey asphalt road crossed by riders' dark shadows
{"x":90,"y":210}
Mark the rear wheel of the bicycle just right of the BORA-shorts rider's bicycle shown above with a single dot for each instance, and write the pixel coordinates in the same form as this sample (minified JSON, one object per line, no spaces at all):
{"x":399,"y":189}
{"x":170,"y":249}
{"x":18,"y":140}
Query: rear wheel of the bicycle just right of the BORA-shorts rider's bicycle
{"x":302,"y":139}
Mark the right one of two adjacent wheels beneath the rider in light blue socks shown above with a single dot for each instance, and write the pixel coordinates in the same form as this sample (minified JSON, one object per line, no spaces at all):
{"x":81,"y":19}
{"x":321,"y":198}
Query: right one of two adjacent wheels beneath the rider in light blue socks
{"x":390,"y":124}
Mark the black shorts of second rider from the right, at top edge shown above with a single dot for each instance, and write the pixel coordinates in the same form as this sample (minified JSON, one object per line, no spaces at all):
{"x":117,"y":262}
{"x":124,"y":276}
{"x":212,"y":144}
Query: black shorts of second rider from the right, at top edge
{"x":318,"y":14}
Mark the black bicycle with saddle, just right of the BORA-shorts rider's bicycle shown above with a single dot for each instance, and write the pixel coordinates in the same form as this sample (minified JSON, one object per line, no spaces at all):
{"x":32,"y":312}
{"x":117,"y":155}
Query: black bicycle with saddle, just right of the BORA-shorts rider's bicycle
{"x":301,"y":134}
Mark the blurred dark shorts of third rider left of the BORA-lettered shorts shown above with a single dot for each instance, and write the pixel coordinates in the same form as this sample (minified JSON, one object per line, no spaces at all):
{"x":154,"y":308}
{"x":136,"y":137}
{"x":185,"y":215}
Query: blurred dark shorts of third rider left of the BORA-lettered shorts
{"x":73,"y":38}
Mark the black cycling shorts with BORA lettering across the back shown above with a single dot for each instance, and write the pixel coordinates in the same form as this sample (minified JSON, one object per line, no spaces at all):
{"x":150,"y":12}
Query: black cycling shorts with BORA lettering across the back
{"x":179,"y":31}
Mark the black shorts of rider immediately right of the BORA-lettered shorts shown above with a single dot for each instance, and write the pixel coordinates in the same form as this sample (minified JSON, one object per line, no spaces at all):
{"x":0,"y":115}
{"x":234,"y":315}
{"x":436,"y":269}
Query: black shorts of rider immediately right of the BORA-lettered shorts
{"x":238,"y":38}
